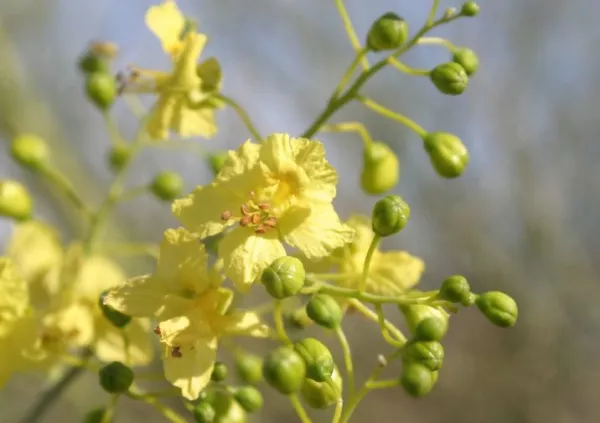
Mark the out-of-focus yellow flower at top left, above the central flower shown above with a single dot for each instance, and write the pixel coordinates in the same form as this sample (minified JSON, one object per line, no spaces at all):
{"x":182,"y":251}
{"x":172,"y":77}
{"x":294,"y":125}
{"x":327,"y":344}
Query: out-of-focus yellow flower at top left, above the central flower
{"x":186,"y":100}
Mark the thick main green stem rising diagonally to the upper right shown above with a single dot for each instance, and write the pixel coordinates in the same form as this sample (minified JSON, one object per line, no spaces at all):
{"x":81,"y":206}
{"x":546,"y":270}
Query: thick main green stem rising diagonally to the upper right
{"x":334,"y":104}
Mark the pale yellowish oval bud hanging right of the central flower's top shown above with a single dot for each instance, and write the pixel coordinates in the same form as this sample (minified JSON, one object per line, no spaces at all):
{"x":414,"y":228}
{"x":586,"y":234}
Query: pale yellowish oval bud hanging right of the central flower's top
{"x":381,"y":169}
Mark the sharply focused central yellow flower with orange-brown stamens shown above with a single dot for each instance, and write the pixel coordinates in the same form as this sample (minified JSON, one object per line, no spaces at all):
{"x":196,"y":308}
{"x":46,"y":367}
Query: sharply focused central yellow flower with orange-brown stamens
{"x":274,"y":192}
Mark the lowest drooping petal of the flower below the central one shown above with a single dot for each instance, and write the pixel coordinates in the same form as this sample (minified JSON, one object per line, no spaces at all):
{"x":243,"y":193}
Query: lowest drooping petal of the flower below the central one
{"x":190,"y":371}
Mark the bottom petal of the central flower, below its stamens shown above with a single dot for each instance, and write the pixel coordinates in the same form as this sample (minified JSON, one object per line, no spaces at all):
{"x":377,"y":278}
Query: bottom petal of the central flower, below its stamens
{"x":246,"y":255}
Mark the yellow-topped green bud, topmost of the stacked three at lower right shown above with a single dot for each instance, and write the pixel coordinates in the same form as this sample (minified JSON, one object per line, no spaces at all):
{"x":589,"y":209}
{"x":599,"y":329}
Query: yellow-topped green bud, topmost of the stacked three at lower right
{"x":426,"y":323}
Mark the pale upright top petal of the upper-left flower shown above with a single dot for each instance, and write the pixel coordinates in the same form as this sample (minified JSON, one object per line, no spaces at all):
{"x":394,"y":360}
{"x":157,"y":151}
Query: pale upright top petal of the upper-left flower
{"x":167,"y":23}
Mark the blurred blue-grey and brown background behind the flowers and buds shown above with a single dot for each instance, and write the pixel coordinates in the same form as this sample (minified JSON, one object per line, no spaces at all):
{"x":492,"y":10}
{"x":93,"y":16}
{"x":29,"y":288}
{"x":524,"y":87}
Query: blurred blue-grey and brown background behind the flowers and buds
{"x":523,"y":219}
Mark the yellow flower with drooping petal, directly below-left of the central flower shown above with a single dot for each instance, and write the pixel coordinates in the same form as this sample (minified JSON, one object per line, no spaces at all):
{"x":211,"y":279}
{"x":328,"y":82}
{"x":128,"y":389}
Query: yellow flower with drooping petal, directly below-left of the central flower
{"x":193,"y":311}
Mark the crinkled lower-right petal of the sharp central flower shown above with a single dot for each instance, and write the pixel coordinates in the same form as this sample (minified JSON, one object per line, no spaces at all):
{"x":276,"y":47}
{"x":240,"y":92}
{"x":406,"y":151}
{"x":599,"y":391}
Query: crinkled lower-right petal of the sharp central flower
{"x":317,"y":232}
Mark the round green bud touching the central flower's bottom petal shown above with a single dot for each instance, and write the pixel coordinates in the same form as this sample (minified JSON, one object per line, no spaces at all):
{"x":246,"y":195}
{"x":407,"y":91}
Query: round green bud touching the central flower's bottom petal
{"x":284,"y":277}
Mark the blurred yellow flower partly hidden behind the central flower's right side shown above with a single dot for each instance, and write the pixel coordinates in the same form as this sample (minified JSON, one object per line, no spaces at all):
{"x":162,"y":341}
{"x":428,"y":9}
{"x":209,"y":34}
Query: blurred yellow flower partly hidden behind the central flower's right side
{"x":390,"y":273}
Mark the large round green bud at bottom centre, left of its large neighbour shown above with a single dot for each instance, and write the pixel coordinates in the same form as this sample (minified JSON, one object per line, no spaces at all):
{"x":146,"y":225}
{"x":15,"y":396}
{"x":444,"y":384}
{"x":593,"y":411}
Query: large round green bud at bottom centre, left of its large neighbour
{"x":285,"y":370}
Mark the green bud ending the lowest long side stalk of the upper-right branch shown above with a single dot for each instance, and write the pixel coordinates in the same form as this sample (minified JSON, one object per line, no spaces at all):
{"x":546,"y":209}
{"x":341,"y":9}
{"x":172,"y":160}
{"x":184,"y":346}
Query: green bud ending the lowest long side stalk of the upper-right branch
{"x":447,"y":153}
